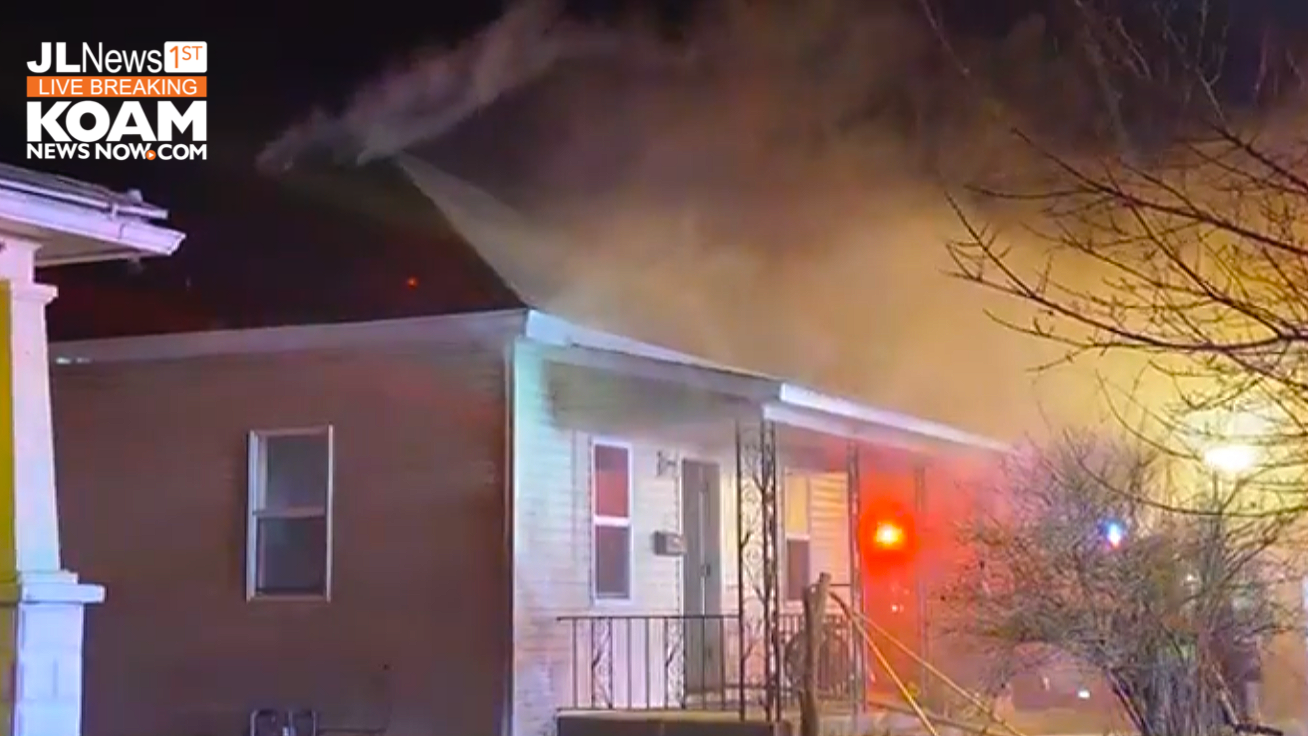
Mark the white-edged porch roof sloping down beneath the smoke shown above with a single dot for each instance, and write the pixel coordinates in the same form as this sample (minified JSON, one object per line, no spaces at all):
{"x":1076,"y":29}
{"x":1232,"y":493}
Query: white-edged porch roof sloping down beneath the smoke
{"x":780,"y":401}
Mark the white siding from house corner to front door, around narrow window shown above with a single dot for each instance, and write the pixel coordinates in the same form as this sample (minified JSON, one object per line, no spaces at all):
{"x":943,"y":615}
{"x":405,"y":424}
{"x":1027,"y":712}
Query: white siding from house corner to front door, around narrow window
{"x":554,"y":555}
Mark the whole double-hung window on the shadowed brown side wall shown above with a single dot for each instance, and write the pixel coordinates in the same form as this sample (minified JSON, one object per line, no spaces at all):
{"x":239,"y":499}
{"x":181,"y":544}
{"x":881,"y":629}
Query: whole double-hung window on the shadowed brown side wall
{"x":288,"y":547}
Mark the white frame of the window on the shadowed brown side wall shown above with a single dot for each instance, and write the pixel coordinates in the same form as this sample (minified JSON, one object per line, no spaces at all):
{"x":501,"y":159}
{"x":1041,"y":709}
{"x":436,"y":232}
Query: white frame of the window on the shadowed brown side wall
{"x":256,"y":512}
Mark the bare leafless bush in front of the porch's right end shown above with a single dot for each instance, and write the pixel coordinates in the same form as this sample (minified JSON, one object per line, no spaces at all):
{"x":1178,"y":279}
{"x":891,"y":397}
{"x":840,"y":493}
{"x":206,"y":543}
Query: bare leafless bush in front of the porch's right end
{"x":1167,"y":615}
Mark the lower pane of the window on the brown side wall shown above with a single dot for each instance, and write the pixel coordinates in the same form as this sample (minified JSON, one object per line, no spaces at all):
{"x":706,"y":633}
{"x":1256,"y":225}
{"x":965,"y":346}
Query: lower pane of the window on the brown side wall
{"x":292,"y":556}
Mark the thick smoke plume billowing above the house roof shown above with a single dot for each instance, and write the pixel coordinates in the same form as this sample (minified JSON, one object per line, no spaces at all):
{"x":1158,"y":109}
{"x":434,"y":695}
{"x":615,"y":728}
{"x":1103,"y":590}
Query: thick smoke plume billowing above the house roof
{"x":767,"y":189}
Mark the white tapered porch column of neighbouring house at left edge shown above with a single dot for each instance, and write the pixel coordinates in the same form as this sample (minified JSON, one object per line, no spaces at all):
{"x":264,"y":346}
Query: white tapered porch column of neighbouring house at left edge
{"x":41,"y":603}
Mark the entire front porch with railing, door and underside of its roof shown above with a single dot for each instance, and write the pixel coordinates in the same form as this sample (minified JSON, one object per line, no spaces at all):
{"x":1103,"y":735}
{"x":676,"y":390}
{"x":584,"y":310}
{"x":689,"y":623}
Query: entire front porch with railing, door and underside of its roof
{"x":734,"y":504}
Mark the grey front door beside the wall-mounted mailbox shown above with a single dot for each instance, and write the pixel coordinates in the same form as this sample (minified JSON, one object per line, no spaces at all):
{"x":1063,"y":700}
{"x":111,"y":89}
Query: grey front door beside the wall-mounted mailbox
{"x":702,"y":571}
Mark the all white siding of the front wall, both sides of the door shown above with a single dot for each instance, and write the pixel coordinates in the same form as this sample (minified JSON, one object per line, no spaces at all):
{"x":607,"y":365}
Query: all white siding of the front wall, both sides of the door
{"x":559,"y":412}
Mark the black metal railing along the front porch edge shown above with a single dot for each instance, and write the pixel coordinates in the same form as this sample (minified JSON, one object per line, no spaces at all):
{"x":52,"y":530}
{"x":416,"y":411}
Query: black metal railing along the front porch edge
{"x":699,"y":663}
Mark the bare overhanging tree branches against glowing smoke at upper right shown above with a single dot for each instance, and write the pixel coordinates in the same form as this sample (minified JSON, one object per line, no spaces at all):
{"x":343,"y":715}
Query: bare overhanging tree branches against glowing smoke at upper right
{"x":1182,"y":236}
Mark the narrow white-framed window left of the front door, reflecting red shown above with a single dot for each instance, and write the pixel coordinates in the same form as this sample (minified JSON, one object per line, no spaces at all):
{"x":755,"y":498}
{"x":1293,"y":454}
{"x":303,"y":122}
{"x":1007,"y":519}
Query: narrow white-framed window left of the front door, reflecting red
{"x":611,"y":495}
